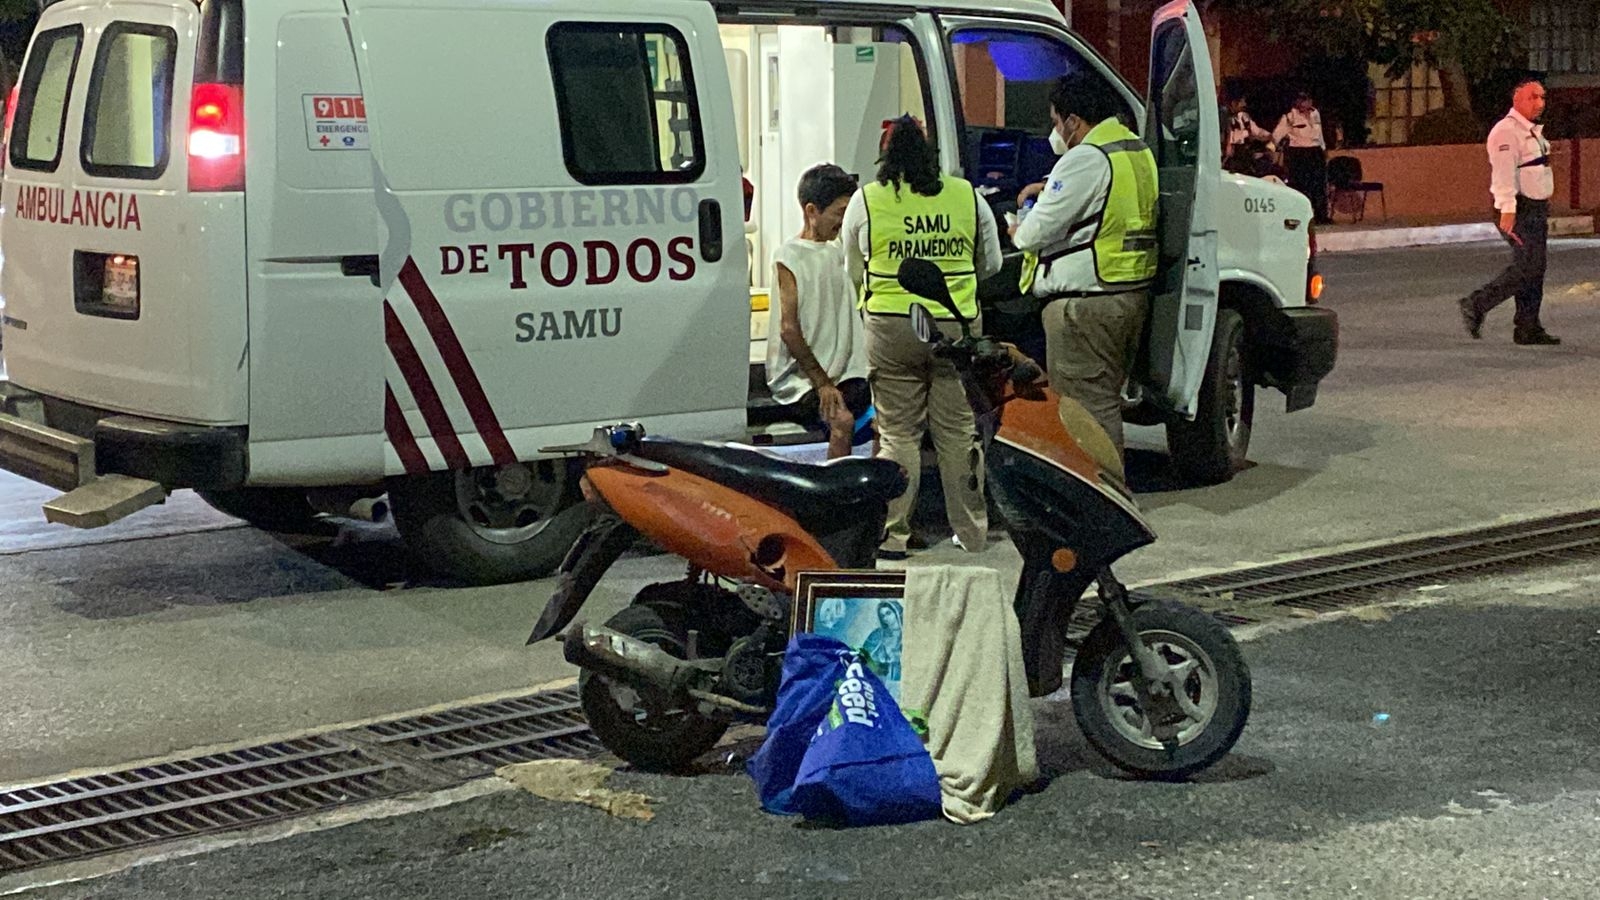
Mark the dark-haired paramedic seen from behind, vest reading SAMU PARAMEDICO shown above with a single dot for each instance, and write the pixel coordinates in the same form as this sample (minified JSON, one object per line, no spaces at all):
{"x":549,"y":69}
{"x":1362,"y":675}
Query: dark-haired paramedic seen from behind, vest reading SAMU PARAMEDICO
{"x":916,"y":211}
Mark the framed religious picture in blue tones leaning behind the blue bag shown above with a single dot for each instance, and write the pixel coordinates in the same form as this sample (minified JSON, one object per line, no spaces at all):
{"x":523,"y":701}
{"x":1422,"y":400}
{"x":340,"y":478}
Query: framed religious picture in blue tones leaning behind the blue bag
{"x":865,"y":609}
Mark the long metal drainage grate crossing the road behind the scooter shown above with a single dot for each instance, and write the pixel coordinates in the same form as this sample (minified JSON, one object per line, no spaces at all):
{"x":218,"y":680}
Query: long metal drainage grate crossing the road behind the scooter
{"x":102,"y":814}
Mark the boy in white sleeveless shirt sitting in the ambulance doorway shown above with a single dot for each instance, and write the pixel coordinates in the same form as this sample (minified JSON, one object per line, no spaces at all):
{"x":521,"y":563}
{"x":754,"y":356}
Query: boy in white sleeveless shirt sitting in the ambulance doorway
{"x":818,"y":363}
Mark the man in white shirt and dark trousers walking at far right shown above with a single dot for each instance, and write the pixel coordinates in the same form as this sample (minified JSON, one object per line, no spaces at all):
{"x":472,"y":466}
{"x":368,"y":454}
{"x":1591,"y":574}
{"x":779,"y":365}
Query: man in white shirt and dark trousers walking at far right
{"x":1522,"y":185}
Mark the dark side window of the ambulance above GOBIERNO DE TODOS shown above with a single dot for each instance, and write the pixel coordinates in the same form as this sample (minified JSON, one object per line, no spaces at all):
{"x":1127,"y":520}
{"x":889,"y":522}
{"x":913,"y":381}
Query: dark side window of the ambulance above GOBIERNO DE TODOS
{"x":626,"y":100}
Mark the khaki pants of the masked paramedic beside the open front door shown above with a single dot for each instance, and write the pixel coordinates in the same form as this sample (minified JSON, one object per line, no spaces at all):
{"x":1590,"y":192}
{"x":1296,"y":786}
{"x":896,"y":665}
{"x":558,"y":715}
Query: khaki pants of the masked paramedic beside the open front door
{"x":1090,"y":344}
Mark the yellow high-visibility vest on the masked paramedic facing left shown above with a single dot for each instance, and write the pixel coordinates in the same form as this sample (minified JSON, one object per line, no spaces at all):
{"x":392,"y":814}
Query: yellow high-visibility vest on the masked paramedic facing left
{"x":1126,"y":243}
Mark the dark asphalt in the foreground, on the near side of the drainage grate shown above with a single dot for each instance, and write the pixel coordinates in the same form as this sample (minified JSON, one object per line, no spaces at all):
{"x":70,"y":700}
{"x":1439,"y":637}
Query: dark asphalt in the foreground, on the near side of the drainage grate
{"x":1482,"y":784}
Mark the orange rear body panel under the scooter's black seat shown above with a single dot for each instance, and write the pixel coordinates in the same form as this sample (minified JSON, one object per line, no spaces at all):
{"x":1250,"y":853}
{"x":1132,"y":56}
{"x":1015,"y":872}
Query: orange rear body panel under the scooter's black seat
{"x":713,"y":526}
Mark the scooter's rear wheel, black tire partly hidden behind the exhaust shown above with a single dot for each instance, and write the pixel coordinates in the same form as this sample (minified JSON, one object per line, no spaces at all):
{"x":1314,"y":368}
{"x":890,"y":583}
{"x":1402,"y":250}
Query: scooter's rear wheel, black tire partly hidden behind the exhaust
{"x":649,"y":733}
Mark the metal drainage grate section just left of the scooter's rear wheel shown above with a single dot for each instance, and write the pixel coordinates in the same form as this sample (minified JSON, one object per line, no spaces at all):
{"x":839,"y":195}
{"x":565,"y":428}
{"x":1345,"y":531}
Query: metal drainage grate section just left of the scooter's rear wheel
{"x":522,"y":729}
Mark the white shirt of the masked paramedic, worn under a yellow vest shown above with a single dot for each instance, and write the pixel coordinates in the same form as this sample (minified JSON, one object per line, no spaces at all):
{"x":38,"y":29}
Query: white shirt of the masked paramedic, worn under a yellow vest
{"x":1068,"y":215}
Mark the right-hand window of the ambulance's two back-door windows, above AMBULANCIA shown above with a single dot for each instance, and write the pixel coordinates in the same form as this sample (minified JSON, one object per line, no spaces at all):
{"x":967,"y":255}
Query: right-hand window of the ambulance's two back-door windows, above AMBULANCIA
{"x":129,"y":123}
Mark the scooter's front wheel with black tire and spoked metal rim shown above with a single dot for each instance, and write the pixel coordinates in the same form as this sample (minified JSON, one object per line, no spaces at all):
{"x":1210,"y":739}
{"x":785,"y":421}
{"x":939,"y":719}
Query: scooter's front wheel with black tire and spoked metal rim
{"x":1172,"y":736}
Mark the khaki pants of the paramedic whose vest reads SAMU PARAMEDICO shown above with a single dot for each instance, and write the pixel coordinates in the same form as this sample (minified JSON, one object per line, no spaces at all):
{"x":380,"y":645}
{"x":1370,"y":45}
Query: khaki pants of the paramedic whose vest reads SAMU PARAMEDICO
{"x":916,"y":393}
